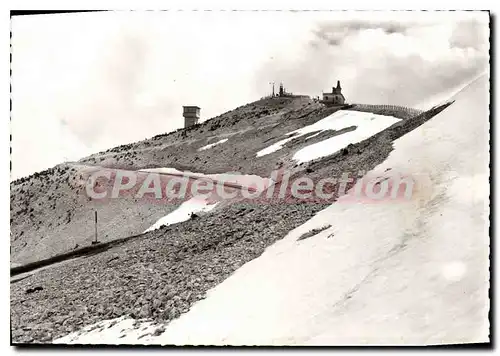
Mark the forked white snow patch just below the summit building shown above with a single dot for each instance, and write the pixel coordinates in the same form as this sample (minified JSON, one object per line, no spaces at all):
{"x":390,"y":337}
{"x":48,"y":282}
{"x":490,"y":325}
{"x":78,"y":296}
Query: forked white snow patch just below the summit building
{"x":367,"y":124}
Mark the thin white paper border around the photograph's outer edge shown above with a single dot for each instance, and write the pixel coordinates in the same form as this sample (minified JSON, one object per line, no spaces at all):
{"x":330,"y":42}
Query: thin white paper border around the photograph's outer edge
{"x":175,"y":4}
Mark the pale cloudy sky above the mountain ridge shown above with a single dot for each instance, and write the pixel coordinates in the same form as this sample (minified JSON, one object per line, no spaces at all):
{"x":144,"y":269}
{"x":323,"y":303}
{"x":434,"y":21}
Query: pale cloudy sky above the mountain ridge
{"x":86,"y":82}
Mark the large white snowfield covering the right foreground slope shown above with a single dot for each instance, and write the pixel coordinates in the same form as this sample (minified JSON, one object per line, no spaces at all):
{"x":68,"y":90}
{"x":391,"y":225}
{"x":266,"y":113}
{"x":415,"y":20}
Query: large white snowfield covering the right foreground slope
{"x":403,"y":272}
